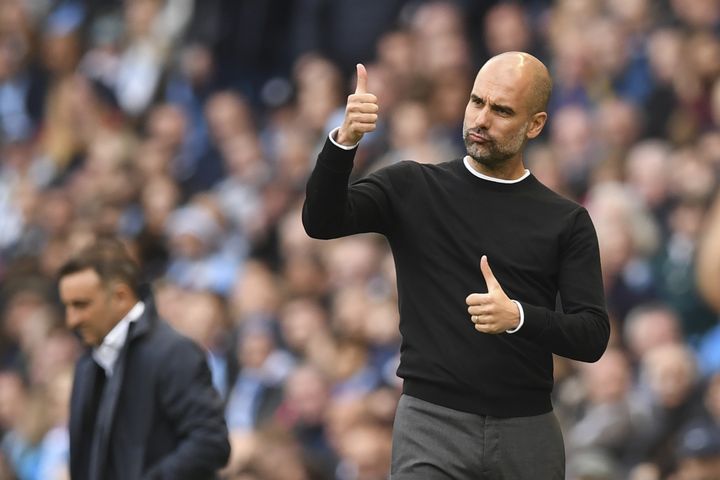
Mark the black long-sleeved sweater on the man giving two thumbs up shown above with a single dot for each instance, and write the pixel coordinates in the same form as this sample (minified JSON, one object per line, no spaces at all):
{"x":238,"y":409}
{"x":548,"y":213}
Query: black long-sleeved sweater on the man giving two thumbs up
{"x":439,"y":221}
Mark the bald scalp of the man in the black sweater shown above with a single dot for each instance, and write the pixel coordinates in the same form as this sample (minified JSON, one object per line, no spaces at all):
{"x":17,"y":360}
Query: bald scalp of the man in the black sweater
{"x":527,"y":73}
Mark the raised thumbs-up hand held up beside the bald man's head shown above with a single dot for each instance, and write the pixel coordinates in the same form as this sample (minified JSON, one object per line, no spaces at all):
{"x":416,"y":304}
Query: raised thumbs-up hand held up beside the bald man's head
{"x":360,"y":112}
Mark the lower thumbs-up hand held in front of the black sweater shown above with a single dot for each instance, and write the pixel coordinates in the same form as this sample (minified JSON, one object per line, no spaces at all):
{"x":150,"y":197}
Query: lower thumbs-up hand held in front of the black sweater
{"x":492,"y":312}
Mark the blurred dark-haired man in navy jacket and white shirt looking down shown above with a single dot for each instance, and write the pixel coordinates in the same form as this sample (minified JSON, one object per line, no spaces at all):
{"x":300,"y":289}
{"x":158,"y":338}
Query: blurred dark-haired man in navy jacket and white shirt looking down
{"x":143,"y":404}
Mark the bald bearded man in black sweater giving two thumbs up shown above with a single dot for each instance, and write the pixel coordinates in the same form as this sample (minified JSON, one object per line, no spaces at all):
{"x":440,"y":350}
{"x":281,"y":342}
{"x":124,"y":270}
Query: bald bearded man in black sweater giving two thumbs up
{"x":482,"y":251}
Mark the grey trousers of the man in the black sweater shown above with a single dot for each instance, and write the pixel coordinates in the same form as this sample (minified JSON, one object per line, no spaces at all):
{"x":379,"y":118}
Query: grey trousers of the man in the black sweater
{"x":431,"y":442}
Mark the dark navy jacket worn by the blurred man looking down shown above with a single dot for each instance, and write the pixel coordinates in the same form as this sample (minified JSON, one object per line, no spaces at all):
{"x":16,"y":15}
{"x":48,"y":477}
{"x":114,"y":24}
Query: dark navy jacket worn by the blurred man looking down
{"x":159,"y":418}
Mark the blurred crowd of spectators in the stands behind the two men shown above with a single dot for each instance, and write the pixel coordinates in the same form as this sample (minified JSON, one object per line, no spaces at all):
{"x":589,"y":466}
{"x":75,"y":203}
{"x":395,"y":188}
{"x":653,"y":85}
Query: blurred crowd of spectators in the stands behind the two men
{"x":189,"y":128}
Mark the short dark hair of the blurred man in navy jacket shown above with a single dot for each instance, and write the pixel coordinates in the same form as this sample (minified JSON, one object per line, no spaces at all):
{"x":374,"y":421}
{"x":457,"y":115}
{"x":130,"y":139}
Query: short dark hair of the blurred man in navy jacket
{"x":110,"y":259}
